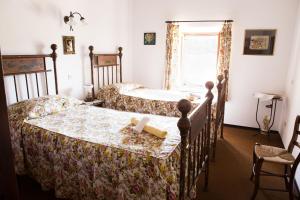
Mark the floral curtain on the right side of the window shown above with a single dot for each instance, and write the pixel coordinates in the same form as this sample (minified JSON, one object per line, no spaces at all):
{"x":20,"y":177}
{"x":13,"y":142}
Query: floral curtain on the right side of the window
{"x":225,"y":38}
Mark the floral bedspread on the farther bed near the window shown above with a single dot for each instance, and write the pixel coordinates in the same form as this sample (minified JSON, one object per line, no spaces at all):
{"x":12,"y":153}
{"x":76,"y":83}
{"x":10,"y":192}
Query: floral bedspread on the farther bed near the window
{"x":133,"y":97}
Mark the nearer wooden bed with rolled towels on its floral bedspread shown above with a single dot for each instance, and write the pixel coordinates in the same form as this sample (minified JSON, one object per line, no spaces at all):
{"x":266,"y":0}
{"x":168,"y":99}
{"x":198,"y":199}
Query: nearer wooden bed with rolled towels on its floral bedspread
{"x":85,"y":152}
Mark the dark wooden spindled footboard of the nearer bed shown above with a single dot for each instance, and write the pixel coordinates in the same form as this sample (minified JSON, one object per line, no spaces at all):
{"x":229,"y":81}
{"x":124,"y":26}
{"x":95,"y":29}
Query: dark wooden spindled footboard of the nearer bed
{"x":195,"y":144}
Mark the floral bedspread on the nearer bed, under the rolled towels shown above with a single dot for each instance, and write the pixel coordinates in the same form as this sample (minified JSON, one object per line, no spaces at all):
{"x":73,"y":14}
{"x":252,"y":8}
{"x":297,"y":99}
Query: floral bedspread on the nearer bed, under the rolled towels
{"x":85,"y":152}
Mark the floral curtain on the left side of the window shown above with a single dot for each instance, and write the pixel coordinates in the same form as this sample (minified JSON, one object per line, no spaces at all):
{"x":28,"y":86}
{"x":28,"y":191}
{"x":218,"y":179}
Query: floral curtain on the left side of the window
{"x":172,"y":55}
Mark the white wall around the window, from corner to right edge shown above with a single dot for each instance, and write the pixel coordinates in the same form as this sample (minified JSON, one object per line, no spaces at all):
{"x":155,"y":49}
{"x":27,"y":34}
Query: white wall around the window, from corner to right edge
{"x":248,"y":74}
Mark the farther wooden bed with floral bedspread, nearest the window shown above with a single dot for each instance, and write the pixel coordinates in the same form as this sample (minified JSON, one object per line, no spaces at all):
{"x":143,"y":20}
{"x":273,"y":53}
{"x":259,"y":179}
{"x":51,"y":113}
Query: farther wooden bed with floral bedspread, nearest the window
{"x":106,"y":77}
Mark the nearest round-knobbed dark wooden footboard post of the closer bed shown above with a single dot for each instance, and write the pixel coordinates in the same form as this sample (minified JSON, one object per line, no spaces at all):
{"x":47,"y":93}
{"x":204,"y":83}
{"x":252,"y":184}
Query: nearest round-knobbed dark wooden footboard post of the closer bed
{"x":184,"y":125}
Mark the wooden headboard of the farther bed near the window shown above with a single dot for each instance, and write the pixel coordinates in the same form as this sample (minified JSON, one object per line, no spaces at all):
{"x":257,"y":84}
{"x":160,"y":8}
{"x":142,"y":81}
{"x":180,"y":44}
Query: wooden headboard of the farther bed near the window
{"x":111,"y":64}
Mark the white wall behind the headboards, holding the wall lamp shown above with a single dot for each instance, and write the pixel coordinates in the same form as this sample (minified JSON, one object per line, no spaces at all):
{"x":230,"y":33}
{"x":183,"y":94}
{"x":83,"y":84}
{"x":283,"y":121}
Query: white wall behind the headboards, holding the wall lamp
{"x":31,"y":26}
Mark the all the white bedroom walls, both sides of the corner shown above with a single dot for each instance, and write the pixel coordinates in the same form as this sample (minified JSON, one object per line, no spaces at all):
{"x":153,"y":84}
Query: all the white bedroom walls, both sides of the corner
{"x":30,"y":26}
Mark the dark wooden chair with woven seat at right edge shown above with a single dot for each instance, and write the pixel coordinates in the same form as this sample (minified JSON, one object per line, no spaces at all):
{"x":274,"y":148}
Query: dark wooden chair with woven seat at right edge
{"x":264,"y":153}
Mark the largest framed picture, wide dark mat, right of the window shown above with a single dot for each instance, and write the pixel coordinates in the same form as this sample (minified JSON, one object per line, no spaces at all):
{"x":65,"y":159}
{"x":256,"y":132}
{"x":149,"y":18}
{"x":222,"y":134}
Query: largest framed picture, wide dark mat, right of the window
{"x":259,"y":42}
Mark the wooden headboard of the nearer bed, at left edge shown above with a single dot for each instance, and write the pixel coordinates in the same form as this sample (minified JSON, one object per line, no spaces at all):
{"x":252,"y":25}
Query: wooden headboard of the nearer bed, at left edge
{"x":24,"y":65}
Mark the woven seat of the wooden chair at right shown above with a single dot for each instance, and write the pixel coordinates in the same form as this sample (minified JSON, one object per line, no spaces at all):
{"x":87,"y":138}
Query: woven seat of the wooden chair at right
{"x":274,"y":154}
